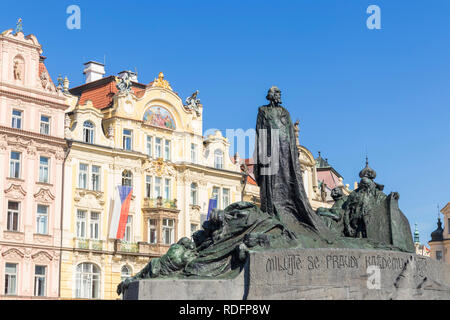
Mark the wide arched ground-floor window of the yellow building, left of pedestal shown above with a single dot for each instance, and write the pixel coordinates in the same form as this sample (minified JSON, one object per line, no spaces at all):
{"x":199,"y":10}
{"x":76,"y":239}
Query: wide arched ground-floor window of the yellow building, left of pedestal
{"x":87,"y":281}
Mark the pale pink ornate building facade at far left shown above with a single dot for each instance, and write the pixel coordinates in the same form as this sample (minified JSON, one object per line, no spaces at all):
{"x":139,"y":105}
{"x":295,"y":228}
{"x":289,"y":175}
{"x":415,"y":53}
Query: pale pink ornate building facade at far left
{"x":32,"y":151}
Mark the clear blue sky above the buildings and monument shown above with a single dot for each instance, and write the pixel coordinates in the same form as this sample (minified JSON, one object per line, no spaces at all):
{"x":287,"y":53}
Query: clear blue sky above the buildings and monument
{"x":353,"y":89}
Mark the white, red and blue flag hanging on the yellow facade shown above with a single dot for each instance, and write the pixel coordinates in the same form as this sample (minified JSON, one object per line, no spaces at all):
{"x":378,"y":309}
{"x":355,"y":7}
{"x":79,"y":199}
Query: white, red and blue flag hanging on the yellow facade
{"x":121,"y":208}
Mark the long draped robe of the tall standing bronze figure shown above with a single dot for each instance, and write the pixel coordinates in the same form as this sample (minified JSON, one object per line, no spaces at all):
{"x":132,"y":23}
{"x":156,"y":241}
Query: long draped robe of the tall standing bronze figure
{"x":278,"y":173}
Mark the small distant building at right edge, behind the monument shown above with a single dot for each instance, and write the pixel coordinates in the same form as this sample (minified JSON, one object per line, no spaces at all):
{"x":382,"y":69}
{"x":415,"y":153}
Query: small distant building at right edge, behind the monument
{"x":440,"y":238}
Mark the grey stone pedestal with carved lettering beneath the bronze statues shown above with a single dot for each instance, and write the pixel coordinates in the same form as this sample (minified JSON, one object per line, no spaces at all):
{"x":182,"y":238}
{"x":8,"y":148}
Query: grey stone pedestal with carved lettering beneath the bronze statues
{"x":312,"y":274}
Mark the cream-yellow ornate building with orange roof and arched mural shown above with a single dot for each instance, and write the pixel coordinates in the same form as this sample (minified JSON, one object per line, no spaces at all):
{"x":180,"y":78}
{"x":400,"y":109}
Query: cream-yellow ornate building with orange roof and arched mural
{"x":122,"y":132}
